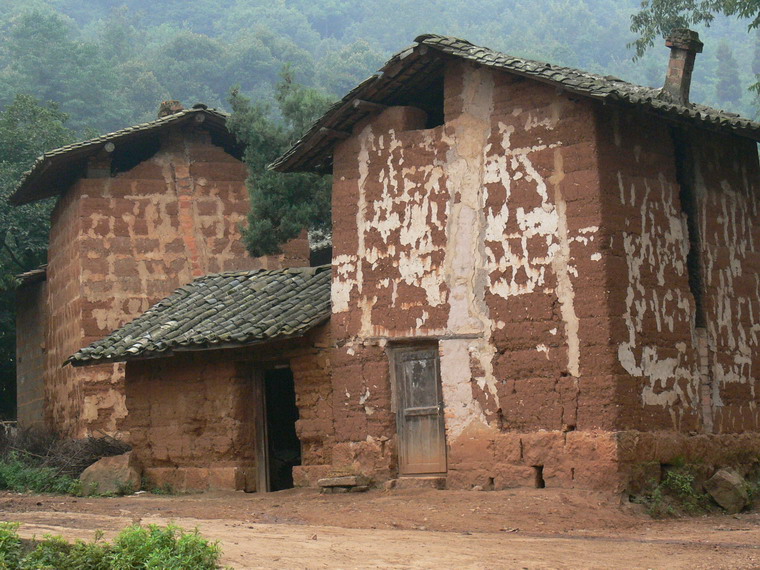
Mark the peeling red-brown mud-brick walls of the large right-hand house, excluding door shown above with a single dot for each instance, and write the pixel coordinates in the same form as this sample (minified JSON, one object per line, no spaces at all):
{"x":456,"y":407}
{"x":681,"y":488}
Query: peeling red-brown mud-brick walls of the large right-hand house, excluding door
{"x":541,"y":241}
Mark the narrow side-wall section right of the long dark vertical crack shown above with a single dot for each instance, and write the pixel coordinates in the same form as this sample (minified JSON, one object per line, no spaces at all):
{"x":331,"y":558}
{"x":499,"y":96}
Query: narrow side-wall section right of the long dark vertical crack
{"x":728,"y":187}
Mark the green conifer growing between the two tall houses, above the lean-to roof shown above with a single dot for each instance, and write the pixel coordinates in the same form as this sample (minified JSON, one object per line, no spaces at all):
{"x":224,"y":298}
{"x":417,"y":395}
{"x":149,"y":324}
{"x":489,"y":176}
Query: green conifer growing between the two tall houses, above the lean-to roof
{"x":282,"y":205}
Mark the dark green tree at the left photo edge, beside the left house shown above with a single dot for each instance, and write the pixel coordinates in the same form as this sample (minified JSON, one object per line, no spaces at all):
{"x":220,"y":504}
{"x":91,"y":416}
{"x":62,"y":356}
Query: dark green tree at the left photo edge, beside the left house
{"x":27,"y":129}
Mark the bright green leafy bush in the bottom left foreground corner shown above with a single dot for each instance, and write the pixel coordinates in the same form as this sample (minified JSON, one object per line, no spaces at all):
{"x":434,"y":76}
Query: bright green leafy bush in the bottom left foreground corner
{"x":135,"y":547}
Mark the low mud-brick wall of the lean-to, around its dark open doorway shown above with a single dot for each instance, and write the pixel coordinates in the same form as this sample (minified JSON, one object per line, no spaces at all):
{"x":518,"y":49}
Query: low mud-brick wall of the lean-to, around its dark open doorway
{"x":191,"y":421}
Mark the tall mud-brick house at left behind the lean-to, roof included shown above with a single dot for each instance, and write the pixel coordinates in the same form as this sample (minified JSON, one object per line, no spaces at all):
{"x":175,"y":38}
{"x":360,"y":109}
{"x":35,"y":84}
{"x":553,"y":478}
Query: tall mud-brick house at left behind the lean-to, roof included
{"x":139,"y":212}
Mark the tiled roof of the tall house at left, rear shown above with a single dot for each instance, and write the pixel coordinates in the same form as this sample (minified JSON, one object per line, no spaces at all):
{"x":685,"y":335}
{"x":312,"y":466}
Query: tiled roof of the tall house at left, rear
{"x":56,"y":169}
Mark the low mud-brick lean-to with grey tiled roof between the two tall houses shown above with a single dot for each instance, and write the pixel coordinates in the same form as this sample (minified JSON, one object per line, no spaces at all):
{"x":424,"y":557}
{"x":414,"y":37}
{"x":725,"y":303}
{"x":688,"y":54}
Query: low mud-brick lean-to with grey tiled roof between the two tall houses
{"x":227,"y":380}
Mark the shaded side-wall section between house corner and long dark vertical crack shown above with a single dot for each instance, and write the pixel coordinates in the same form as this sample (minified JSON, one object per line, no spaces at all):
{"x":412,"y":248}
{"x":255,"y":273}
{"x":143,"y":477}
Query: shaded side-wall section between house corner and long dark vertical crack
{"x":651,"y":305}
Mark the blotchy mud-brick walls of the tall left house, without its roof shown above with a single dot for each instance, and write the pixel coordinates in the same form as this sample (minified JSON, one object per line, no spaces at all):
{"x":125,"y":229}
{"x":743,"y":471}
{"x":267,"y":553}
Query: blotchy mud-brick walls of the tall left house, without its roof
{"x":119,"y":244}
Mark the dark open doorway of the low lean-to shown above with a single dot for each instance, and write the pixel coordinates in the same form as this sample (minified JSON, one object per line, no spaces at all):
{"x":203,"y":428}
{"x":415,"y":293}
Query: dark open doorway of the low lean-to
{"x":283,"y":445}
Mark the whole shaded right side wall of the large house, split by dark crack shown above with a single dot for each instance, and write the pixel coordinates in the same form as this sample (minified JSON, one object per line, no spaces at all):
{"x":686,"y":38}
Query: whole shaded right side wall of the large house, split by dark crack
{"x":660,"y":384}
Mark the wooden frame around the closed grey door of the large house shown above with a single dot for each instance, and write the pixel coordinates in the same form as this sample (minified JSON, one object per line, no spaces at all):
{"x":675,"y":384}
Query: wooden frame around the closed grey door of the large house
{"x":394,"y":351}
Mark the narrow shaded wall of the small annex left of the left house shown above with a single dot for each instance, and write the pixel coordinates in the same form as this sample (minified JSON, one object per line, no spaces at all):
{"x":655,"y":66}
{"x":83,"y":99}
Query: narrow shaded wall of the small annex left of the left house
{"x":31,"y":317}
